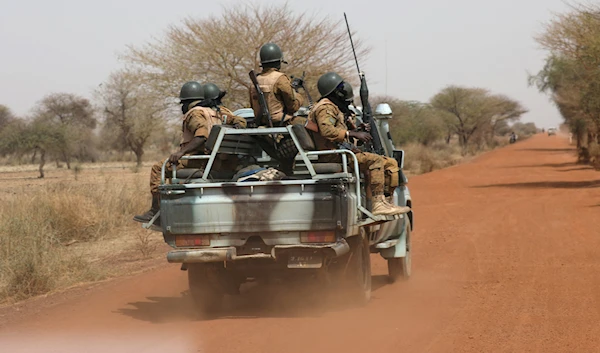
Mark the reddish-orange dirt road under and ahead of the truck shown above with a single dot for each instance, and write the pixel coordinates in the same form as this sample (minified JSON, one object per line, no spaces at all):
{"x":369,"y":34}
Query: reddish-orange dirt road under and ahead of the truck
{"x":506,"y":259}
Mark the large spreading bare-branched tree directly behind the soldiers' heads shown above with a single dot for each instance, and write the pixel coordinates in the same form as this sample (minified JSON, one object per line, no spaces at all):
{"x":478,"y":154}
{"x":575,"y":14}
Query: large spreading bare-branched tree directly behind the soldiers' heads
{"x":224,"y":49}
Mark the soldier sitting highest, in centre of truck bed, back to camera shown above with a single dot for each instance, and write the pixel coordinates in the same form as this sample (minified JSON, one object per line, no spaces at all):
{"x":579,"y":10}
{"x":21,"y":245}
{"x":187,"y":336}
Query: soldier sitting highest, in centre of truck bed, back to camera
{"x":282,"y":100}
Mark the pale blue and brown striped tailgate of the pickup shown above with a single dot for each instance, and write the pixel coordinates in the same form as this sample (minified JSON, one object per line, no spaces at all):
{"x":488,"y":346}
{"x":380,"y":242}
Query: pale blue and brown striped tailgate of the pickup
{"x":244,"y":207}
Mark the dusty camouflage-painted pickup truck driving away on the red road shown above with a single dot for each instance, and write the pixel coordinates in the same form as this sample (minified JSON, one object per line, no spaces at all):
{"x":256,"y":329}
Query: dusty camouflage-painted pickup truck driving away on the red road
{"x":314,"y":224}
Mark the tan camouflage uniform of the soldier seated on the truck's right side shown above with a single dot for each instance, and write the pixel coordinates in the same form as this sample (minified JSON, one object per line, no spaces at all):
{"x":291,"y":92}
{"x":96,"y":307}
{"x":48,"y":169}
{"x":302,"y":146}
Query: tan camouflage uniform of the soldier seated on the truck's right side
{"x":333,"y":130}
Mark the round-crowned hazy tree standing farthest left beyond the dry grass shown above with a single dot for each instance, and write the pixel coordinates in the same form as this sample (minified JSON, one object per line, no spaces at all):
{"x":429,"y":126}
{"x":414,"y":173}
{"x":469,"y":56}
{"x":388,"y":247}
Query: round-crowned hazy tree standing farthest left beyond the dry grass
{"x":74,"y":116}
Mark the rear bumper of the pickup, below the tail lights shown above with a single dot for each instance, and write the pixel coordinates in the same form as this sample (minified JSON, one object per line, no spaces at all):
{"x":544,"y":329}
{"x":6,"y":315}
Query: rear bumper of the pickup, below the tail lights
{"x":230,"y":254}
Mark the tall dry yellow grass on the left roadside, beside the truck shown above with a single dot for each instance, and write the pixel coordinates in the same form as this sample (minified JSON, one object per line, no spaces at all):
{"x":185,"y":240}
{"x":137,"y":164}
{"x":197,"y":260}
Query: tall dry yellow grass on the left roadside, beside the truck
{"x":52,"y":231}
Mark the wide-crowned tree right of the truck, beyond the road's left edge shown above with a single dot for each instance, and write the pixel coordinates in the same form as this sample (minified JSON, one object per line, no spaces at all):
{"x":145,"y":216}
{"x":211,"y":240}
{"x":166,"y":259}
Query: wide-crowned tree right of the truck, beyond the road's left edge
{"x":471,"y":110}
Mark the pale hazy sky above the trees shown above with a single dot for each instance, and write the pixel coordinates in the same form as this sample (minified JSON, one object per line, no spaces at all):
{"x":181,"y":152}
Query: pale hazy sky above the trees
{"x":71,"y":46}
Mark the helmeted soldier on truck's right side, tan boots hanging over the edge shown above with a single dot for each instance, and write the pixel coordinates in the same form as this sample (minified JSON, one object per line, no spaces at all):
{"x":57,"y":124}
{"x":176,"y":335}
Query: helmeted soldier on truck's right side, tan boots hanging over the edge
{"x":328,"y":114}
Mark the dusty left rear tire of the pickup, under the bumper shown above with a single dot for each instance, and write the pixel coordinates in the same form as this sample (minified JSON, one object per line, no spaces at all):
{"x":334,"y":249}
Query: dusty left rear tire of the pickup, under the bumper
{"x":205,"y":288}
